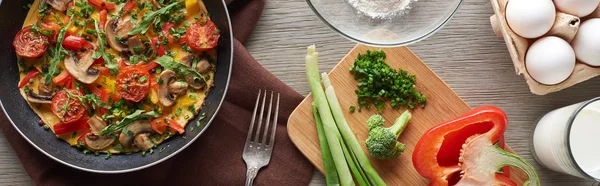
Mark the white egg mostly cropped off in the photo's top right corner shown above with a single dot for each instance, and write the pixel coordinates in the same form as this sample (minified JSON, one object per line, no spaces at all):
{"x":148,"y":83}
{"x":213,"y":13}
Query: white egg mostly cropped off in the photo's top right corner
{"x":579,"y":8}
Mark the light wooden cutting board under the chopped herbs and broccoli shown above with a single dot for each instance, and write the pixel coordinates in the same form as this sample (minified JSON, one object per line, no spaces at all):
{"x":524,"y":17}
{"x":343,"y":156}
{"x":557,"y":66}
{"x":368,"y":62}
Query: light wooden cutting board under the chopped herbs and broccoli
{"x":442,"y":104}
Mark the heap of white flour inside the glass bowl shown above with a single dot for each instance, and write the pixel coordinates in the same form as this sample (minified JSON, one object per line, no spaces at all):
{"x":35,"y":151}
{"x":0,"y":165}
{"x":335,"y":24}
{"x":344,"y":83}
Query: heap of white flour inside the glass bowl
{"x":381,"y":9}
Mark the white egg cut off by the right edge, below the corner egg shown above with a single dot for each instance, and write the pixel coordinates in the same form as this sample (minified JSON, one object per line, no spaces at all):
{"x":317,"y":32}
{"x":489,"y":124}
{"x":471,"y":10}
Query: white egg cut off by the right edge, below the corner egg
{"x":587,"y":42}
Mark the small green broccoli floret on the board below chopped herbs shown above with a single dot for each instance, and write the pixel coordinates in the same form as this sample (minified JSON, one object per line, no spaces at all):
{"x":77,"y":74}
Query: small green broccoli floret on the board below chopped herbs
{"x":382,"y":143}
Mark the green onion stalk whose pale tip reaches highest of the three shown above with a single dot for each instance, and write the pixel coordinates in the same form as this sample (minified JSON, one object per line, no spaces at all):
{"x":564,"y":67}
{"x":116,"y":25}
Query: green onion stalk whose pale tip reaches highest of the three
{"x":329,"y":126}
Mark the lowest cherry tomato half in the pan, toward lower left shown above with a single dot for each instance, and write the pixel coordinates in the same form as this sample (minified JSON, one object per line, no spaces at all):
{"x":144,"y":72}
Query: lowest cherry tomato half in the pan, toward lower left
{"x":67,"y":109}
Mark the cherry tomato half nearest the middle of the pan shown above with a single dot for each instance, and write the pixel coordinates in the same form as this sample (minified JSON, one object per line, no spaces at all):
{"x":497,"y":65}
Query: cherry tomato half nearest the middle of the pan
{"x":133,"y":83}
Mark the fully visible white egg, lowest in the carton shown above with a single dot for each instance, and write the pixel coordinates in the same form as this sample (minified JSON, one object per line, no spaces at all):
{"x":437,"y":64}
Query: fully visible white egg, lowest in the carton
{"x":550,"y":60}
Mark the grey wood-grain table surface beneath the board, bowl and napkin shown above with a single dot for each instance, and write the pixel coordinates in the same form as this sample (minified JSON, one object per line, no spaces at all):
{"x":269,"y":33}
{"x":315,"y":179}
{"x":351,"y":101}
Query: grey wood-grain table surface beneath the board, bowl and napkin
{"x":465,"y":54}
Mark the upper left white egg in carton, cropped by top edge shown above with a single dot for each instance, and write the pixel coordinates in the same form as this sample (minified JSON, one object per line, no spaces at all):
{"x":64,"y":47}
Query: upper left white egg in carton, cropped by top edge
{"x":530,"y":18}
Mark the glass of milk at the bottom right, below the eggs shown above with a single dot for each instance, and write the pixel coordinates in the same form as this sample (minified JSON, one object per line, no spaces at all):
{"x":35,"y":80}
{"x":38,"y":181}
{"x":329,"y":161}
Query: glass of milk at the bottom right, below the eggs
{"x":567,"y":140}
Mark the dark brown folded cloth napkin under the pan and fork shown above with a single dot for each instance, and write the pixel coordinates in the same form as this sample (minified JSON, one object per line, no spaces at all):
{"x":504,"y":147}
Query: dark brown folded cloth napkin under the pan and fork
{"x":206,"y":161}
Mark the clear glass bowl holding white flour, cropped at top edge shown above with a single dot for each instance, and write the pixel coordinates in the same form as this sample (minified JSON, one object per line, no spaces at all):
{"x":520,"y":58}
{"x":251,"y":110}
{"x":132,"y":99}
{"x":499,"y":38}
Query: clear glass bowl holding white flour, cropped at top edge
{"x":391,"y":23}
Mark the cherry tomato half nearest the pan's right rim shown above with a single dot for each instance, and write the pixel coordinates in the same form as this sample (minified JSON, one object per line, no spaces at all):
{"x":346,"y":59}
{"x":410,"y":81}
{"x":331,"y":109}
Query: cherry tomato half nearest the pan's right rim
{"x":202,"y":37}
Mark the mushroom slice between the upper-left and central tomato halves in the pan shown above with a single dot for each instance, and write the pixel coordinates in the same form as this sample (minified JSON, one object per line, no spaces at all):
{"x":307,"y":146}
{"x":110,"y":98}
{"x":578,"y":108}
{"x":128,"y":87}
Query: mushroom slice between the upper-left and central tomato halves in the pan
{"x":78,"y":68}
